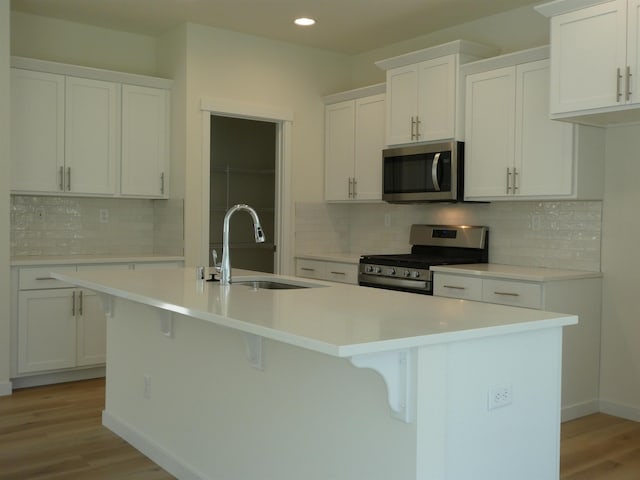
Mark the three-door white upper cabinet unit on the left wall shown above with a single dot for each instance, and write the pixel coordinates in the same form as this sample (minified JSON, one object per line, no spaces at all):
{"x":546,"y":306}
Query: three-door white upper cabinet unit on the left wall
{"x":85,"y":132}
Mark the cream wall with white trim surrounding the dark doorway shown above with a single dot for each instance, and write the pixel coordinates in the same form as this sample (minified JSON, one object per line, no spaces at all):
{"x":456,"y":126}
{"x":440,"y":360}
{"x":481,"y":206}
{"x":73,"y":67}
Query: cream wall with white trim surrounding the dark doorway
{"x":251,"y":70}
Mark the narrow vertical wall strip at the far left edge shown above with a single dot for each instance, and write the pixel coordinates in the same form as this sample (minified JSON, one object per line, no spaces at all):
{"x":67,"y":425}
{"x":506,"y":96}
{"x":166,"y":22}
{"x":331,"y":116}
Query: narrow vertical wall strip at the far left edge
{"x":5,"y":385}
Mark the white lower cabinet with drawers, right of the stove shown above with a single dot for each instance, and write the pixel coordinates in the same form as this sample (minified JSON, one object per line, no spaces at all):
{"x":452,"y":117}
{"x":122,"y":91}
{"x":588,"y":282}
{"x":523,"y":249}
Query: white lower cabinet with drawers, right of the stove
{"x":578,"y":296}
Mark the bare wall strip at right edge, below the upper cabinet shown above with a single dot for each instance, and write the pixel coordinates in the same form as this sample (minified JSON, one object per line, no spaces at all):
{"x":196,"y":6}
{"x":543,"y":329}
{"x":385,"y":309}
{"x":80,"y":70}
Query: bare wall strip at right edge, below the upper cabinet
{"x":620,"y":363}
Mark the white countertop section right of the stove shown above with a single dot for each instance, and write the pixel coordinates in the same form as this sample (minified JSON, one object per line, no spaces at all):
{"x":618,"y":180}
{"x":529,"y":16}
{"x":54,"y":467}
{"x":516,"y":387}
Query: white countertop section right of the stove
{"x":513,"y":272}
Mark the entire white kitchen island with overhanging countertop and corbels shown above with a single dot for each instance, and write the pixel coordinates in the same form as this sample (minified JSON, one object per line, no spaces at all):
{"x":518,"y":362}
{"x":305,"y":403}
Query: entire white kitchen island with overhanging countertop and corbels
{"x":328,"y":382}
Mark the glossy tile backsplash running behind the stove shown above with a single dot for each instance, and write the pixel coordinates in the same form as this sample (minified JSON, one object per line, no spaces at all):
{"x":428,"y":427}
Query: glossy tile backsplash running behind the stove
{"x":540,"y":234}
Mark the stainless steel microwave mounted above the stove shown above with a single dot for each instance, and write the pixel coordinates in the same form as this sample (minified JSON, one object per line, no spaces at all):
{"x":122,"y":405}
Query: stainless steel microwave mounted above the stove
{"x":432,"y":172}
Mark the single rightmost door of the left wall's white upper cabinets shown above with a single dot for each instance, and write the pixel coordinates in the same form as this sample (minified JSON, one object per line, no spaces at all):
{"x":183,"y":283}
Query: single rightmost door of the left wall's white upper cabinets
{"x":145,"y":137}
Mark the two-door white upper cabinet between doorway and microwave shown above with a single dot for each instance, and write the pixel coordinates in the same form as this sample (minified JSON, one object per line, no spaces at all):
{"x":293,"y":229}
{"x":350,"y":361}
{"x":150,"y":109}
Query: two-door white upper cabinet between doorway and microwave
{"x":354,"y":139}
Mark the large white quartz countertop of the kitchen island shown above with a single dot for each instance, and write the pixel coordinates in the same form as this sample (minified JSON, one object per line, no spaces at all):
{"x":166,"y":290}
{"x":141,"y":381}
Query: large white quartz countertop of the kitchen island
{"x":335,"y":319}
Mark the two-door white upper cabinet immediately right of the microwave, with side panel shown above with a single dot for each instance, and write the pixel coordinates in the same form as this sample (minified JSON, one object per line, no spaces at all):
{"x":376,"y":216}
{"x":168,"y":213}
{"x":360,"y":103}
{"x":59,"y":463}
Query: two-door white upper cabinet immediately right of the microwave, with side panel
{"x":512,"y":149}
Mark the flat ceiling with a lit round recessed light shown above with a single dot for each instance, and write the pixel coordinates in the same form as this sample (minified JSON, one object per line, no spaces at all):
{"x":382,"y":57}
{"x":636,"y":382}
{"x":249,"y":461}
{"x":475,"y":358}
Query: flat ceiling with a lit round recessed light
{"x":348,"y":26}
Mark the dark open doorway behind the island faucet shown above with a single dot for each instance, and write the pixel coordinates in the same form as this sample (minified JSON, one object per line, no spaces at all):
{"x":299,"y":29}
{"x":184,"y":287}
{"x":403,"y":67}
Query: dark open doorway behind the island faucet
{"x":243,"y":169}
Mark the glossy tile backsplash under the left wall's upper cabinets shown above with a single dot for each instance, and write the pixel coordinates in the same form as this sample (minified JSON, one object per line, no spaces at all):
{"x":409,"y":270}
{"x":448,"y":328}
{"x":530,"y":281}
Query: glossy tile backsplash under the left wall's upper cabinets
{"x":49,"y":225}
